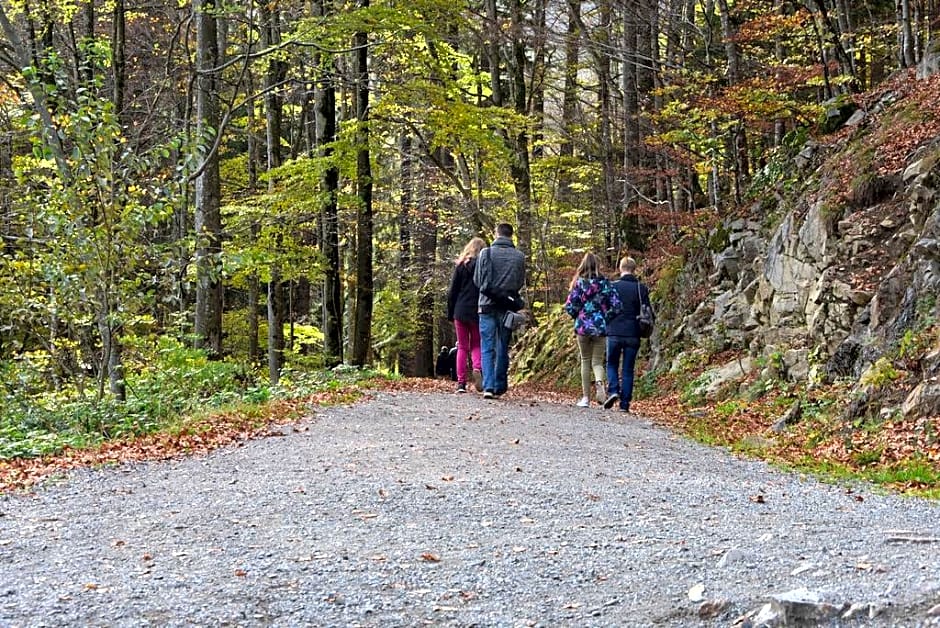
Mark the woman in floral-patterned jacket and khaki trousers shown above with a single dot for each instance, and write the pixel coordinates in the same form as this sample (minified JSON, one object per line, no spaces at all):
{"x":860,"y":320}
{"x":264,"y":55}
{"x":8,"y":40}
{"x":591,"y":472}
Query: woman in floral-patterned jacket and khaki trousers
{"x":592,"y":302}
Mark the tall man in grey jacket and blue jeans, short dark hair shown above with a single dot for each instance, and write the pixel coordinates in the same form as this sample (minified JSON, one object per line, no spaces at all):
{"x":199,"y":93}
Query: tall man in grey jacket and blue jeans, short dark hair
{"x":500,"y":275}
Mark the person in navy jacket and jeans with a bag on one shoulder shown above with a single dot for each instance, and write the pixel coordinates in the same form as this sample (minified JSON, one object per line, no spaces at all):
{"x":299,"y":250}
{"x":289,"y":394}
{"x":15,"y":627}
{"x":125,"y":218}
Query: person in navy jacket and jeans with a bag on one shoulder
{"x":623,"y":336}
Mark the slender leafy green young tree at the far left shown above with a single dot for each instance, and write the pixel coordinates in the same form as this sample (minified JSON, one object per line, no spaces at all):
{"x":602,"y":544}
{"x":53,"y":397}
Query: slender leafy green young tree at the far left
{"x":79,"y":227}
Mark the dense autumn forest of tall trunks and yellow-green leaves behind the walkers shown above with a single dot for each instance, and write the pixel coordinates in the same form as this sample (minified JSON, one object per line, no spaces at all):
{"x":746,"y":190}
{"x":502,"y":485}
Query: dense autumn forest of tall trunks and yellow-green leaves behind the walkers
{"x":286,"y":184}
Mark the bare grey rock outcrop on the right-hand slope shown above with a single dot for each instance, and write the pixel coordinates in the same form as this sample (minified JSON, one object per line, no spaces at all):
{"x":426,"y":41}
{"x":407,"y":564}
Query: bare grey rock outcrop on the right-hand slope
{"x":830,"y":289}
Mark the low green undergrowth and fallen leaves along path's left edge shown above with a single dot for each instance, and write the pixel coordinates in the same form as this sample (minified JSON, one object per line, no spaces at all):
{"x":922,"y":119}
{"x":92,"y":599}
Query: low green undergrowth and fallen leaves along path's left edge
{"x":169,"y":388}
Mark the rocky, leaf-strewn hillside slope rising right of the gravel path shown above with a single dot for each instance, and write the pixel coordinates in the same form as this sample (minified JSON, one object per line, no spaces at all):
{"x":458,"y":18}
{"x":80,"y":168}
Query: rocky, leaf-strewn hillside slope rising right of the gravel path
{"x":817,"y":324}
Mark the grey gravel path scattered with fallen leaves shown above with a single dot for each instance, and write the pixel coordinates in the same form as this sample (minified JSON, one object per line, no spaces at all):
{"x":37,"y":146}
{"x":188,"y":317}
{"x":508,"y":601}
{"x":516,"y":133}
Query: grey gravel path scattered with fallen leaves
{"x":437,"y":509}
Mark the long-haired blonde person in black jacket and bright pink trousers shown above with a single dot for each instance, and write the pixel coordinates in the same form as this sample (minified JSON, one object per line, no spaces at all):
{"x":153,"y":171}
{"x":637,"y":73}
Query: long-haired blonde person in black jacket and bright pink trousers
{"x":462,"y":300}
